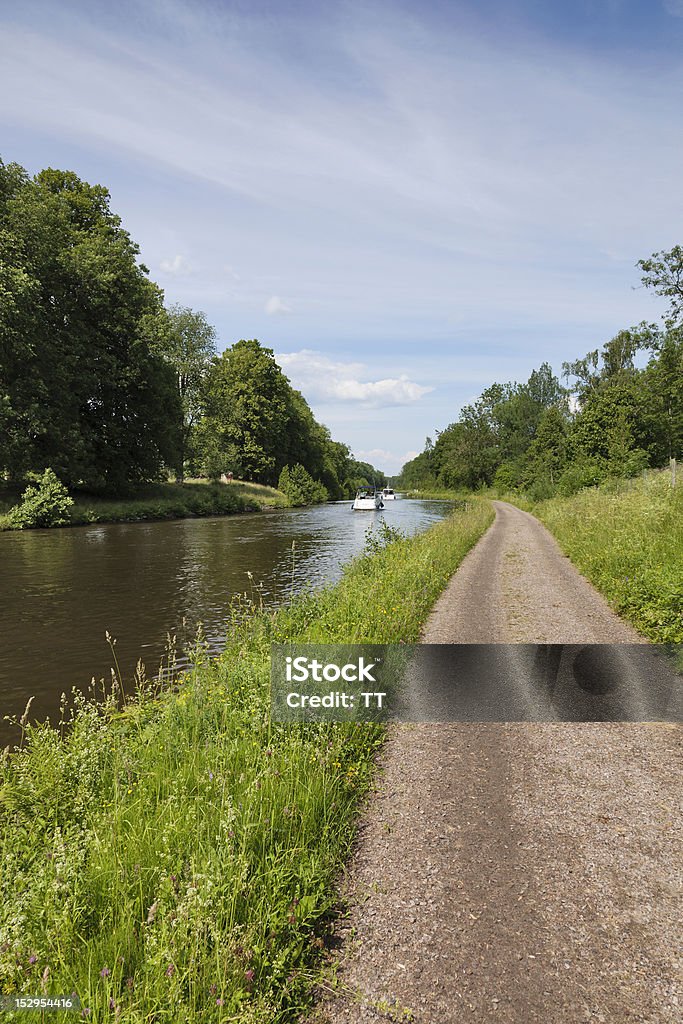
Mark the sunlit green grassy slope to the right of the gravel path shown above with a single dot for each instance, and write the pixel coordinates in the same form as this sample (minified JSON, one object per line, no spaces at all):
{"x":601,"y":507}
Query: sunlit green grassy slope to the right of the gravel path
{"x":627,"y":538}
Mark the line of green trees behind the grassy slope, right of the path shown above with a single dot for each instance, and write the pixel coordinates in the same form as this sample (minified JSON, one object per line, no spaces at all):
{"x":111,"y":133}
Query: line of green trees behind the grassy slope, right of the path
{"x":612,"y":419}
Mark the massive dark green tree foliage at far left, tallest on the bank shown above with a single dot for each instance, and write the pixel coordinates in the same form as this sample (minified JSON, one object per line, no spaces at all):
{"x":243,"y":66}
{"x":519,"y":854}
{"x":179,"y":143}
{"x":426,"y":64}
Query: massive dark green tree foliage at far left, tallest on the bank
{"x":102,"y":412}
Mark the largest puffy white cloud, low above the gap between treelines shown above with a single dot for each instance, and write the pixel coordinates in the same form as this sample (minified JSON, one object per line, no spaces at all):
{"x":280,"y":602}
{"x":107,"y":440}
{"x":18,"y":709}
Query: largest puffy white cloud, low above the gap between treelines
{"x":323,"y":379}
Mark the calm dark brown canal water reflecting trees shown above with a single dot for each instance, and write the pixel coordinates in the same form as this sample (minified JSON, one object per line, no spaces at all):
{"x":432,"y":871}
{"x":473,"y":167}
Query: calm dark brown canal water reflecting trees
{"x":63,"y":589}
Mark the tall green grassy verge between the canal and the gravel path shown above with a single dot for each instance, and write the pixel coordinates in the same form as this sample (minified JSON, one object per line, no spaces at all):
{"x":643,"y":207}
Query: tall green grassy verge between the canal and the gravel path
{"x":176,"y":862}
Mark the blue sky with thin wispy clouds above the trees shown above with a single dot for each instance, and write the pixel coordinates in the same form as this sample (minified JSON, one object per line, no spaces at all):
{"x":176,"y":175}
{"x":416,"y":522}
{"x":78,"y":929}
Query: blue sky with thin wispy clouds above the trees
{"x":407,"y":201}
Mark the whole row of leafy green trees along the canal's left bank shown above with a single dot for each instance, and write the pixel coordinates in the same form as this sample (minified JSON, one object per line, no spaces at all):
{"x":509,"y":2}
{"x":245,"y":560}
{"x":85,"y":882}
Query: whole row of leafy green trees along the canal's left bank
{"x":109,"y":389}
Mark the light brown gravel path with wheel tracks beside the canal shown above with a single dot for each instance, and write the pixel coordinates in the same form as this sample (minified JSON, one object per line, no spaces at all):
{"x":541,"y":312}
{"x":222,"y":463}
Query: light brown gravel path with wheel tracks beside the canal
{"x":518,"y":873}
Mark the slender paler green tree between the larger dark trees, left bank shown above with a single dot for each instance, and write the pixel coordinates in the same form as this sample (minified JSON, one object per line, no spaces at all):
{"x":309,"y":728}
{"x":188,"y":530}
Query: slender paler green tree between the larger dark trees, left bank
{"x":188,"y":343}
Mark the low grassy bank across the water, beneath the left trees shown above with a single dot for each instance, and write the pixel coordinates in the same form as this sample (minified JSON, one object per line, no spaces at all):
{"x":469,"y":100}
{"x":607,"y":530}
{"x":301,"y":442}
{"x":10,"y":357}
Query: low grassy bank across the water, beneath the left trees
{"x":163,"y":501}
